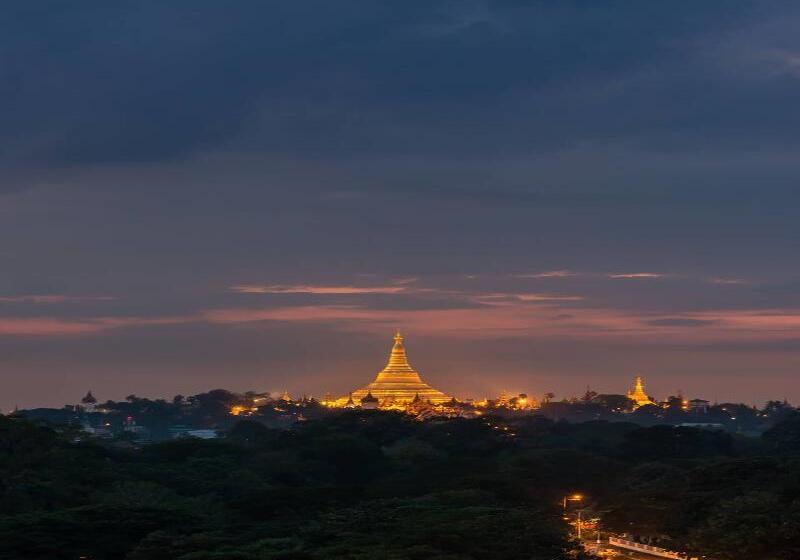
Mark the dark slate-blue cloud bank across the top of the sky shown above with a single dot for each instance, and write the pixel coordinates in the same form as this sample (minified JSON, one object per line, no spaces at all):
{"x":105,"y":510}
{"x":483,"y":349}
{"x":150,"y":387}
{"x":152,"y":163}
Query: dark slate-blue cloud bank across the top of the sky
{"x":149,"y":81}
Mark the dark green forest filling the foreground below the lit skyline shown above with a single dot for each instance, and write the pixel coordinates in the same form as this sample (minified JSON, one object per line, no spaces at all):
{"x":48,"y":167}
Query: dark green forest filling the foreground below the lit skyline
{"x":372,"y":484}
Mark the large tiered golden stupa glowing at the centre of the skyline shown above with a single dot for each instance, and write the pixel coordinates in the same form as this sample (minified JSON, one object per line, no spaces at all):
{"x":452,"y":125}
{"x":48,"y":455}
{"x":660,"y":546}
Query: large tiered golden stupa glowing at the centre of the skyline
{"x":398,"y":384}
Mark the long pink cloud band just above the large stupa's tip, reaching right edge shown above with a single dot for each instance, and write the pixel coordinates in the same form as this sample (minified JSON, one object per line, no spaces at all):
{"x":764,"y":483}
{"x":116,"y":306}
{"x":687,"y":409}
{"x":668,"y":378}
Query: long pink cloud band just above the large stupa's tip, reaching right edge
{"x":504,"y":319}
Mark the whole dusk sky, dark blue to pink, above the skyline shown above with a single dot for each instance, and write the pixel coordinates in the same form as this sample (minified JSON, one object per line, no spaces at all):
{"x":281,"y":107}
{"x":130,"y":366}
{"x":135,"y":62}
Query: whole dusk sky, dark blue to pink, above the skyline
{"x":542,"y":196}
